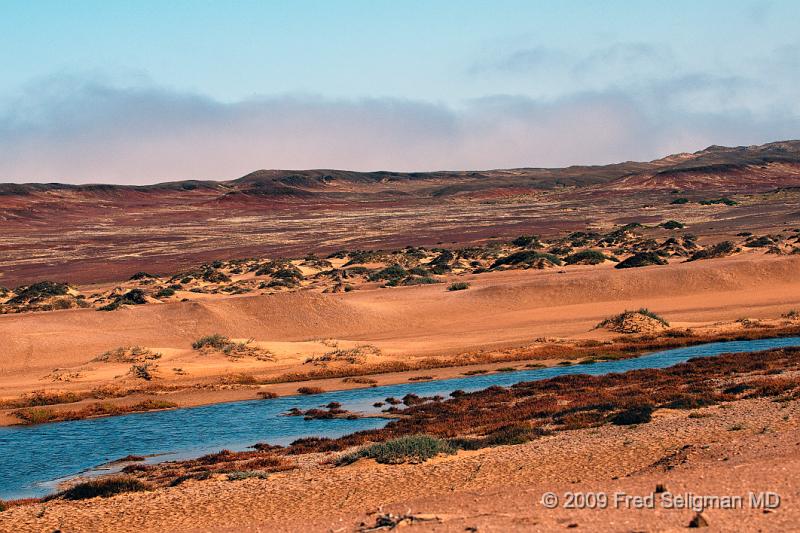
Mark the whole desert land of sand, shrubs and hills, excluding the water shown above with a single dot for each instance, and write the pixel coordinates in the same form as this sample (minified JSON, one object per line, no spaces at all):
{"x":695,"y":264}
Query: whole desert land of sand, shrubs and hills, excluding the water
{"x":124,"y":299}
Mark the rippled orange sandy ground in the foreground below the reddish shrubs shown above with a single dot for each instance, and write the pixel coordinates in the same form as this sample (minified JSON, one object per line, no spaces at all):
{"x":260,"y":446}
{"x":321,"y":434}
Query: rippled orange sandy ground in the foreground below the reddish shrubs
{"x":495,"y":489}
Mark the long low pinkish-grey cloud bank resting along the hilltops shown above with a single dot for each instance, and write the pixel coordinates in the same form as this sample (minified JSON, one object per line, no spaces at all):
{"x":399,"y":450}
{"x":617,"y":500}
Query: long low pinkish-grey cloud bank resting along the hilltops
{"x":83,"y":130}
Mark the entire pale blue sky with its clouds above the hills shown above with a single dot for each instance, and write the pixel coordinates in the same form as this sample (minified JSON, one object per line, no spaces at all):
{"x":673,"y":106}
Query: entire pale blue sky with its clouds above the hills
{"x":148,"y":91}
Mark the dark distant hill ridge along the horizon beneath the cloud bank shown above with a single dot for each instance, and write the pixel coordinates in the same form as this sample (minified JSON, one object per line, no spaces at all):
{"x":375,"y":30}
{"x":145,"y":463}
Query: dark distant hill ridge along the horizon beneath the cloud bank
{"x":720,"y":166}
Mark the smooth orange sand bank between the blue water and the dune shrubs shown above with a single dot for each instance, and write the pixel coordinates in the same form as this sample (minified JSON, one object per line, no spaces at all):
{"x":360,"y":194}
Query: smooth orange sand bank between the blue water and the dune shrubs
{"x":500,"y":309}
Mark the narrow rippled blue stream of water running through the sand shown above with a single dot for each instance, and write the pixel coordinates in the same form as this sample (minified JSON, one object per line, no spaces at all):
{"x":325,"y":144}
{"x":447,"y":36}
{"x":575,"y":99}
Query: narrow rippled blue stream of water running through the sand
{"x":32,"y":457}
